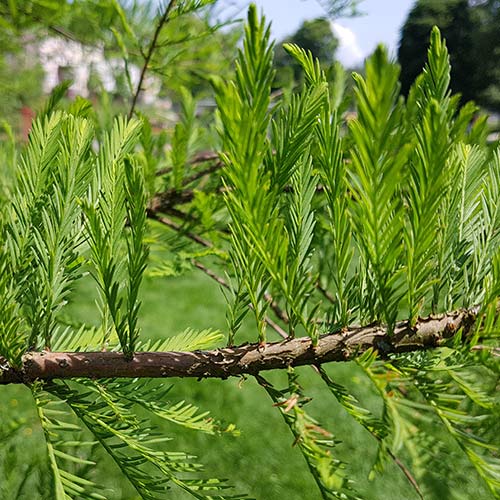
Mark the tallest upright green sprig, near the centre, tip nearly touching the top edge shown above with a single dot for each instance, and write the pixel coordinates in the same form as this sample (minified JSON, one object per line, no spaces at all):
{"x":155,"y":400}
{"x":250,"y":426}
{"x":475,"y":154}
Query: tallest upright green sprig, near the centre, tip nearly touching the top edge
{"x":243,"y":108}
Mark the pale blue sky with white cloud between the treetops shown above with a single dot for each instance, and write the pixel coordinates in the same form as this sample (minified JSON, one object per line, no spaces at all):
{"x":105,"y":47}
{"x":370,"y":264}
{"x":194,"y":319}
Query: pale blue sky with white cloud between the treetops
{"x":358,"y":36}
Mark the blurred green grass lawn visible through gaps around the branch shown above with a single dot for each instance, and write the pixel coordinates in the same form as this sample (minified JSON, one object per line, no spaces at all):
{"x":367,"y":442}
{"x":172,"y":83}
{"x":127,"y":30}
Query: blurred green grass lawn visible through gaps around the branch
{"x":262,"y":461}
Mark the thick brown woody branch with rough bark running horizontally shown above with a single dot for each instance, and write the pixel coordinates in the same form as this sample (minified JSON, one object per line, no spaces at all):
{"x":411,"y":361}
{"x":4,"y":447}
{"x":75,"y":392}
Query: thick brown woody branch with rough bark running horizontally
{"x":245,"y":359}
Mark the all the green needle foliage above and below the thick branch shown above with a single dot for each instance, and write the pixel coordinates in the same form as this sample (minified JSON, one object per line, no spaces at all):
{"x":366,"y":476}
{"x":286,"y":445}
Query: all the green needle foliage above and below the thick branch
{"x":322,"y":223}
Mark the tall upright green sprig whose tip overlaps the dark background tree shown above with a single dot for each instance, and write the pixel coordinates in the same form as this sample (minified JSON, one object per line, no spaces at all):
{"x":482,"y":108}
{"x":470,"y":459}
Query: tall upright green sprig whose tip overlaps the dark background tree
{"x":428,"y":174}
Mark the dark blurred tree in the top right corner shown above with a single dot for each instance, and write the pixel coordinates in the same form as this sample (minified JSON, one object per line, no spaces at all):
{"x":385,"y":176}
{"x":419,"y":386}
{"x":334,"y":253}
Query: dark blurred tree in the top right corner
{"x":473,"y":39}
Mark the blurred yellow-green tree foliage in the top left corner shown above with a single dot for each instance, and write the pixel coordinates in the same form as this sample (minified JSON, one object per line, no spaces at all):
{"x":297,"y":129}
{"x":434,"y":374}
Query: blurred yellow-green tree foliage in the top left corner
{"x":24,"y":24}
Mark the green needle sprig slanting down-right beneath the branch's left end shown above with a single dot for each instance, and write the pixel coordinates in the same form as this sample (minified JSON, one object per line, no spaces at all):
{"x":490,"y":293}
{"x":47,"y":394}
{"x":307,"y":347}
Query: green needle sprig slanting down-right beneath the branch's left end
{"x":106,"y":410}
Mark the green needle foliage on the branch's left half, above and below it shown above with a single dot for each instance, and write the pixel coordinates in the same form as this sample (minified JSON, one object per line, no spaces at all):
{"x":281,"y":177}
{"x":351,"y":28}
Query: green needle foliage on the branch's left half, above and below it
{"x":74,"y":210}
